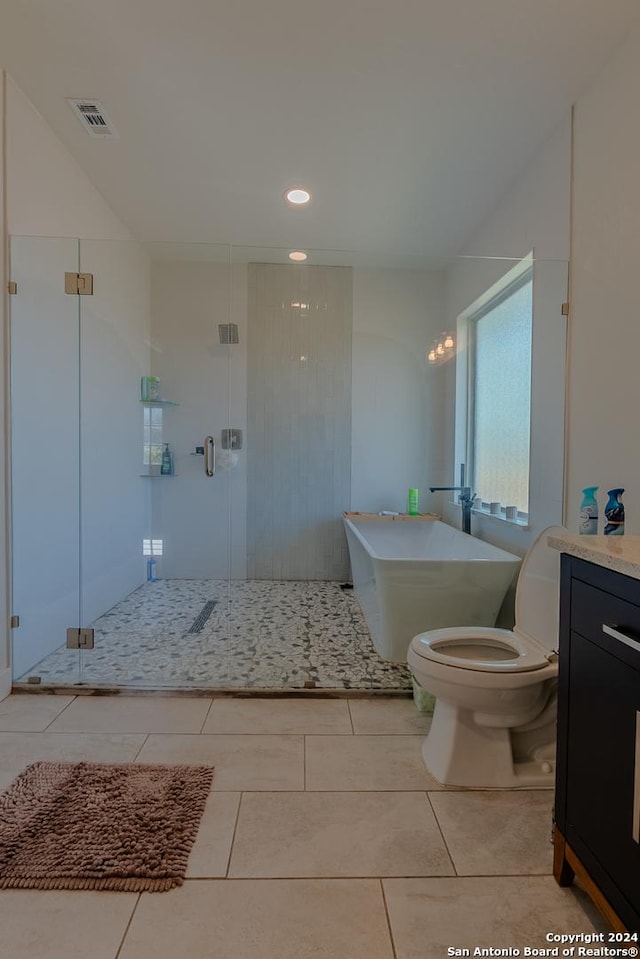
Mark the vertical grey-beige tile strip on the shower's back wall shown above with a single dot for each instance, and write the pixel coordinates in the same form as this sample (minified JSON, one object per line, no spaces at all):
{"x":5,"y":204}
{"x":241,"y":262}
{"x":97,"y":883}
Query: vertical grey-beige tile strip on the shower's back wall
{"x":299,"y":420}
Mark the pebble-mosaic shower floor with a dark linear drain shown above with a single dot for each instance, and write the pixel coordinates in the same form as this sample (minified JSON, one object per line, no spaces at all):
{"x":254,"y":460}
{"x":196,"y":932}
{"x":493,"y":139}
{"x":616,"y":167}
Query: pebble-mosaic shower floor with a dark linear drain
{"x":238,"y":634}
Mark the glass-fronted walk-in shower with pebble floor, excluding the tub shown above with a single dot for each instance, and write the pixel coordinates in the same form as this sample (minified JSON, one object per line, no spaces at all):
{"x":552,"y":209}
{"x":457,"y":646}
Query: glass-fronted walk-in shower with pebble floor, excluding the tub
{"x":194,"y":576}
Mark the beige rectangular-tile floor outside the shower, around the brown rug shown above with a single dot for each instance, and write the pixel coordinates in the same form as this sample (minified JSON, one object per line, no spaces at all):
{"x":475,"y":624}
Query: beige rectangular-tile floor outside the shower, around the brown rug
{"x":324,"y":836}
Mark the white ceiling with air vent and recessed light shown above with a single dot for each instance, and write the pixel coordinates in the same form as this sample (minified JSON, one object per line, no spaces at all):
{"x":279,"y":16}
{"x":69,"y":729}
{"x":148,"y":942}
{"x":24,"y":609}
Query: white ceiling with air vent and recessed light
{"x":407,"y":119}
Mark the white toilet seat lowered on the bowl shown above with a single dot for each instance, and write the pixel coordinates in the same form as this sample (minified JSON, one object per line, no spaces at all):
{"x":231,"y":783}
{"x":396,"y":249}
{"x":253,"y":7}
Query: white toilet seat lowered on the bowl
{"x":480,"y":648}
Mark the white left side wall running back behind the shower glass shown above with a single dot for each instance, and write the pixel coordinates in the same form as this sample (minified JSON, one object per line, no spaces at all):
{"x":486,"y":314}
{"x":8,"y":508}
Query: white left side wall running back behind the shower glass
{"x":48,"y":196}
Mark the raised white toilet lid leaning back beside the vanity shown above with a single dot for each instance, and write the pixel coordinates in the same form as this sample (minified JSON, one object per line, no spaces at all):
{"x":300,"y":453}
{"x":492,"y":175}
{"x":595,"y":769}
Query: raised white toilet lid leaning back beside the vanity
{"x":538,"y":591}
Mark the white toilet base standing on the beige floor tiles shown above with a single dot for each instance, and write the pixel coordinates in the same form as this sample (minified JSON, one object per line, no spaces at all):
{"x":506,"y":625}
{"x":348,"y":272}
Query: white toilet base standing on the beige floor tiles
{"x":459,"y":752}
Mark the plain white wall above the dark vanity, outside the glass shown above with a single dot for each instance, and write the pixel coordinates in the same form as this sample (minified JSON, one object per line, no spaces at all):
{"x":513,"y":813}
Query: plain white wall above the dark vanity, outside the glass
{"x":605,"y":325}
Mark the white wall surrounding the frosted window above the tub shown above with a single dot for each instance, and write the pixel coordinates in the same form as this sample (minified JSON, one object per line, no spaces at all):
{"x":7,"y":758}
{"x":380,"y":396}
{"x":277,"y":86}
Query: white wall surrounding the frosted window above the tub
{"x":533,"y":215}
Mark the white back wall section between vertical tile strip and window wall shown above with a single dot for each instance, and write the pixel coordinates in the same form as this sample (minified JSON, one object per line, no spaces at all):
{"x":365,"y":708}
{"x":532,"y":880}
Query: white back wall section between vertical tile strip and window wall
{"x":397,"y":398}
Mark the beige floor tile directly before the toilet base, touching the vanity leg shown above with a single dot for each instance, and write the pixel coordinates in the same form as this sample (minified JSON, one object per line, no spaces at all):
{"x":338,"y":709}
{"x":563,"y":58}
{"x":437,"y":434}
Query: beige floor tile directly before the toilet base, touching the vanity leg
{"x":498,"y":833}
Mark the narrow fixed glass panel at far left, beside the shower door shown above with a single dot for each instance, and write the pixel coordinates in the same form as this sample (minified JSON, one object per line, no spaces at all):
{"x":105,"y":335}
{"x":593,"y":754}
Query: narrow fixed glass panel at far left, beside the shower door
{"x":44,"y":459}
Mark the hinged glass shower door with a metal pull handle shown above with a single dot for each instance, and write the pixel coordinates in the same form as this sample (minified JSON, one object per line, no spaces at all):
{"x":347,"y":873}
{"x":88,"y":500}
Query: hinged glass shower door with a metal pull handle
{"x":154,"y":518}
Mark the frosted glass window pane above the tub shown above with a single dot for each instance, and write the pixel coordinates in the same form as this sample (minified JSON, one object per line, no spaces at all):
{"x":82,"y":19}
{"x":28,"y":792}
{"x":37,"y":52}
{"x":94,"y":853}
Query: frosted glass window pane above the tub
{"x":501,"y":397}
